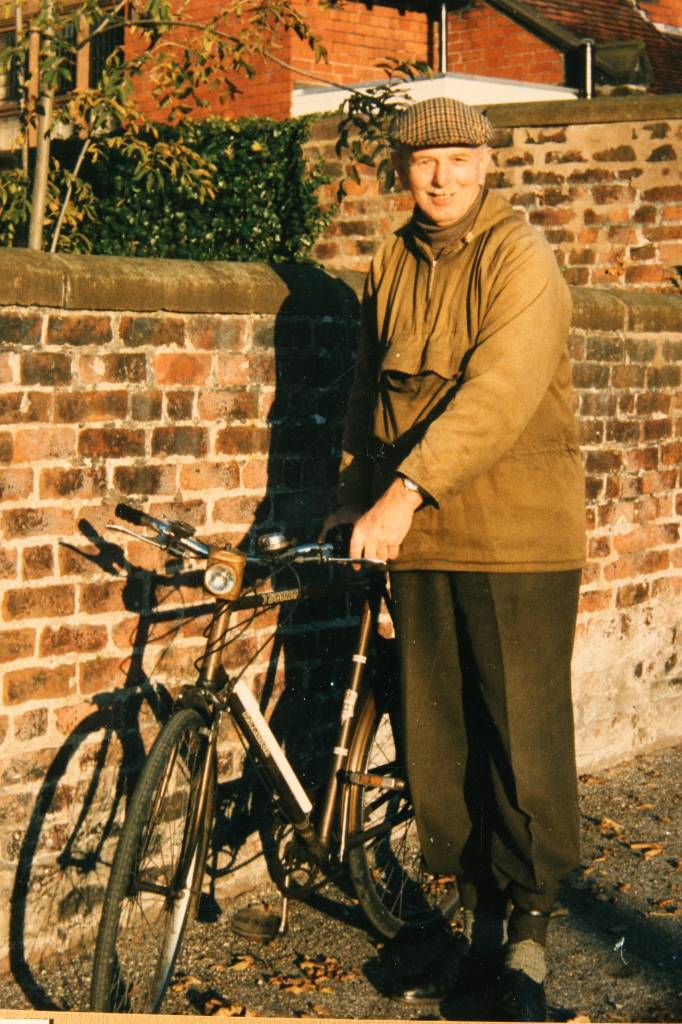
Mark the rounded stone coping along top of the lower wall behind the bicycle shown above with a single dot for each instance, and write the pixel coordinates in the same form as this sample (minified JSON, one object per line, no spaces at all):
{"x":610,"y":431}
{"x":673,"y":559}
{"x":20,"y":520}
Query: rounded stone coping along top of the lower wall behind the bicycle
{"x":118,"y":283}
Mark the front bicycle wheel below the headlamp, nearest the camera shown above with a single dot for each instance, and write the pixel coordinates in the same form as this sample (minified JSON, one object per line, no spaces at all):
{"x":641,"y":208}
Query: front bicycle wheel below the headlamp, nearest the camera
{"x":157,"y":872}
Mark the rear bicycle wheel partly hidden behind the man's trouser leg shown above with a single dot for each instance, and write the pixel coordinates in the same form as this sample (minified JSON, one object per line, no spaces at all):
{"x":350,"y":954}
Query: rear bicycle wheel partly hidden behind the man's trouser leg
{"x":392,"y":881}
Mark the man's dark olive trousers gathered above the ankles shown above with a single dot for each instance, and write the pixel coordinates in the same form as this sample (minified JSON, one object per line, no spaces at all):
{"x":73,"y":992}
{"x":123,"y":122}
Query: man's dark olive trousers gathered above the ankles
{"x":488,"y":727}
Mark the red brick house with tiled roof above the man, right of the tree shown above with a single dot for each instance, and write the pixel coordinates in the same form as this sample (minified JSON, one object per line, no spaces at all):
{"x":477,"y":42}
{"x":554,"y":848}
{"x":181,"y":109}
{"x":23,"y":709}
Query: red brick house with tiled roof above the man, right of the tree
{"x":566,"y":45}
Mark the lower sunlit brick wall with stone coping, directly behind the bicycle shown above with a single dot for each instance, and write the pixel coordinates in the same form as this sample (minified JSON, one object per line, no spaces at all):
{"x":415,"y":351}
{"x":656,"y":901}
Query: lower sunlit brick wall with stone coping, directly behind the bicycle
{"x":214,"y":393}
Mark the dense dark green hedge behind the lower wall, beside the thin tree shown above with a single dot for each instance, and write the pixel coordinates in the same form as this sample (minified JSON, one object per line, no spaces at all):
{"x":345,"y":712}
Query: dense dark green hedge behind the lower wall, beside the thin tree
{"x":203,"y":191}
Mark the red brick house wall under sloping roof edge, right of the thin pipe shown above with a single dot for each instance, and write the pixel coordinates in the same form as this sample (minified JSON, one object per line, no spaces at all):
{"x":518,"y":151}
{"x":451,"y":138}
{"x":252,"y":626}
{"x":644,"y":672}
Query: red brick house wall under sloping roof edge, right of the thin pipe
{"x":482,"y":41}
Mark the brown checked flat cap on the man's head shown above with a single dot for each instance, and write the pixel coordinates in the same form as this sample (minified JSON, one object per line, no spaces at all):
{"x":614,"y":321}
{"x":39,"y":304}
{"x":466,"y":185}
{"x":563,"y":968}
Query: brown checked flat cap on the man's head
{"x":441,"y":121}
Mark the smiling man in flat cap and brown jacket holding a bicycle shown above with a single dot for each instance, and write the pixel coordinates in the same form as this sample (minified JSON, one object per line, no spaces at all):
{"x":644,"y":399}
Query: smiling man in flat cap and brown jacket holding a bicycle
{"x":461,"y":467}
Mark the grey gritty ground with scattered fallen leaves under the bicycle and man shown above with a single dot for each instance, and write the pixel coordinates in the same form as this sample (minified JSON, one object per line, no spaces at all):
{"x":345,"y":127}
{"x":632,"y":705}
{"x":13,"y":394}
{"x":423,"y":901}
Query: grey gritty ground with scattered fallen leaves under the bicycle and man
{"x":616,"y":946}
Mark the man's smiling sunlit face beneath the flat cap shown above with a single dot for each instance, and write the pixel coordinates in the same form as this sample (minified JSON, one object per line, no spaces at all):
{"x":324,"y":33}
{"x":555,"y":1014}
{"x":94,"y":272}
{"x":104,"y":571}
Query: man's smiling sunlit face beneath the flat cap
{"x":445,"y":181}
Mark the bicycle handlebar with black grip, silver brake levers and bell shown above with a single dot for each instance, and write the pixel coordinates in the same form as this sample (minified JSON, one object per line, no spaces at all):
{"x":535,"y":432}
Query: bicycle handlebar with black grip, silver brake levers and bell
{"x":178,"y":538}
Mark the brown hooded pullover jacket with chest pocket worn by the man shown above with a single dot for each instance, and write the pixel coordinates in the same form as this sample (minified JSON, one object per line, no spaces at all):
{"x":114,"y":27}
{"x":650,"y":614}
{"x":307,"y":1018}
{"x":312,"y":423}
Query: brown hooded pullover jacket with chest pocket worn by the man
{"x":463,"y":383}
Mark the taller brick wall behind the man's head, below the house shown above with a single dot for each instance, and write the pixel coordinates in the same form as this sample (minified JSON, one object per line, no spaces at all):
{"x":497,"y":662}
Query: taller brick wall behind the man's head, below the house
{"x":600,"y":179}
